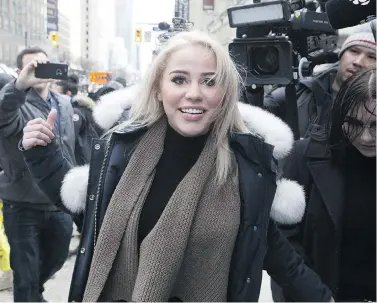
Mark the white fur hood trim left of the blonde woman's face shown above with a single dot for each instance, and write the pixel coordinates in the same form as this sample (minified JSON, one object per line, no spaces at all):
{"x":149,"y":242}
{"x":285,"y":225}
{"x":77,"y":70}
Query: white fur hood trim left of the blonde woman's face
{"x":111,"y":106}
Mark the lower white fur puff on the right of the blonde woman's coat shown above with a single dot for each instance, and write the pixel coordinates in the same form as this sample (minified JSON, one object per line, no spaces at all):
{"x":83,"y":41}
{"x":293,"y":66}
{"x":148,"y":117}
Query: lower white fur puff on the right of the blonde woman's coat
{"x":289,"y":204}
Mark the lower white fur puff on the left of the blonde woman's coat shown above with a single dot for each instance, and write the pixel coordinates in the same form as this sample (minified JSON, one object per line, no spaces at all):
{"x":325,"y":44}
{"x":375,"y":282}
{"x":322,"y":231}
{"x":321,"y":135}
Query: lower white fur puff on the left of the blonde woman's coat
{"x":74,"y":189}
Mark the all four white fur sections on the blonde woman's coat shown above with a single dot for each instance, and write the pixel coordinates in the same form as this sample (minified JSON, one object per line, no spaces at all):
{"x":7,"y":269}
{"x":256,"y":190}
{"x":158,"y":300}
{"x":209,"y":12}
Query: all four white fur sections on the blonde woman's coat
{"x":289,"y":202}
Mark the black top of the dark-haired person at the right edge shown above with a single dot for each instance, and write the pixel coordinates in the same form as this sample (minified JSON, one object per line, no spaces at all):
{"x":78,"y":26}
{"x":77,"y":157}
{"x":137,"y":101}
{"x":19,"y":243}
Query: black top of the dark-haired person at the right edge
{"x":357,"y":279}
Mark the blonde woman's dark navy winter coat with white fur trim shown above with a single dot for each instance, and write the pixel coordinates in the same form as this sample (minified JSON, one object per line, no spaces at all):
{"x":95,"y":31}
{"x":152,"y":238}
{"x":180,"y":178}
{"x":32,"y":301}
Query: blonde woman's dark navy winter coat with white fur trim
{"x":259,"y":244}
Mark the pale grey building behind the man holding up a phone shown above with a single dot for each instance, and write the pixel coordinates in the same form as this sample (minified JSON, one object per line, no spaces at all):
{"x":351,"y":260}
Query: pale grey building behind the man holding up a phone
{"x":22,"y":23}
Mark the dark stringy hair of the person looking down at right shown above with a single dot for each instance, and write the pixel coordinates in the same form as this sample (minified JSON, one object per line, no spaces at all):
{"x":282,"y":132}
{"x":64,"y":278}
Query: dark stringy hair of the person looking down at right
{"x":357,"y":91}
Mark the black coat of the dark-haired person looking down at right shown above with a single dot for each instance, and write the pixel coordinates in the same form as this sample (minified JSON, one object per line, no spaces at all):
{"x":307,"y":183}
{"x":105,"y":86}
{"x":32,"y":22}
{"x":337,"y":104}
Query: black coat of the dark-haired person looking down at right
{"x":317,"y":237}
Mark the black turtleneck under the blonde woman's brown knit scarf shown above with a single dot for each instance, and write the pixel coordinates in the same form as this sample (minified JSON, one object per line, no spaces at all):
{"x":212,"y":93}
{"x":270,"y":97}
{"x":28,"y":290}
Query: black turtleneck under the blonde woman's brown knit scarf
{"x":179,"y":156}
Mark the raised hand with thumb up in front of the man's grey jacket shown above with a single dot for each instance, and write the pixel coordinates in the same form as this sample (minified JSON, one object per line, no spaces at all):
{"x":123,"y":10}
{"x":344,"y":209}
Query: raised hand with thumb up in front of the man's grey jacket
{"x":39,"y":131}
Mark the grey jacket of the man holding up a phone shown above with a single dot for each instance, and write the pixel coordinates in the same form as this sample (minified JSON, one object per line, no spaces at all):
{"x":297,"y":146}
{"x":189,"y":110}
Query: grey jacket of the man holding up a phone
{"x":17,"y":108}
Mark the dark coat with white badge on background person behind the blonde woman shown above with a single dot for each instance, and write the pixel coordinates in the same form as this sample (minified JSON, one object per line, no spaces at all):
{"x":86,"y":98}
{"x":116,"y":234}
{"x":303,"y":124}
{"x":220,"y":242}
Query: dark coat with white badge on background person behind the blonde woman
{"x":86,"y":129}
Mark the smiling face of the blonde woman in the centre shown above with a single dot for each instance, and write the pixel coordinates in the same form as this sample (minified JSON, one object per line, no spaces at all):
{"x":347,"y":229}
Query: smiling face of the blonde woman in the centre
{"x":189,"y":92}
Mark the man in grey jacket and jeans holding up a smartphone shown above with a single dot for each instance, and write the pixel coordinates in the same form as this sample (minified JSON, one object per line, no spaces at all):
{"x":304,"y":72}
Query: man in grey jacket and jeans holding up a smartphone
{"x":38,"y":232}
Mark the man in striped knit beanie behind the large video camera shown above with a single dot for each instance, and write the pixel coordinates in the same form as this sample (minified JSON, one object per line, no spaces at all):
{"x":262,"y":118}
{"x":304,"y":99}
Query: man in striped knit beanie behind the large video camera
{"x":315,"y":96}
